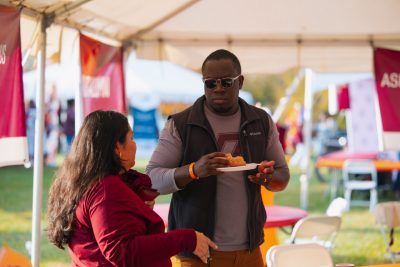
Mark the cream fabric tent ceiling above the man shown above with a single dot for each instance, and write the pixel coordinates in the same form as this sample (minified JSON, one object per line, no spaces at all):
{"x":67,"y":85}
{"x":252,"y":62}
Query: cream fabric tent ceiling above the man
{"x":267,"y":35}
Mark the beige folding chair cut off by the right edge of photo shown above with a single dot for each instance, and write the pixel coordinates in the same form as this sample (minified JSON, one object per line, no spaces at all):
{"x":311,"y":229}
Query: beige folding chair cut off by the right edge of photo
{"x":387,"y":215}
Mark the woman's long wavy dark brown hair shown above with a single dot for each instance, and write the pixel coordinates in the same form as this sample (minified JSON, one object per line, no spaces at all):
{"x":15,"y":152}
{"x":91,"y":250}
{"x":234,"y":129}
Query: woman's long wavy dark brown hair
{"x":92,"y":157}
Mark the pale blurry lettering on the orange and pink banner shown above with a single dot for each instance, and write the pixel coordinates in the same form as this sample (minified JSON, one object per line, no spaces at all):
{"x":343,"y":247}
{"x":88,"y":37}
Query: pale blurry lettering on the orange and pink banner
{"x":96,"y":87}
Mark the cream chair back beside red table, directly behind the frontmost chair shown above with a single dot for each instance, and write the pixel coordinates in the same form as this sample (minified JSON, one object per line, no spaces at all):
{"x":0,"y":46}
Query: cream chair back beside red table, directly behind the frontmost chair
{"x":321,"y":230}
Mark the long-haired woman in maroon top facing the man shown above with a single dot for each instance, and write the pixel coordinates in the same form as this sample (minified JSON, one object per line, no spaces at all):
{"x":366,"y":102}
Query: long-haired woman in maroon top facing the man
{"x":94,"y":210}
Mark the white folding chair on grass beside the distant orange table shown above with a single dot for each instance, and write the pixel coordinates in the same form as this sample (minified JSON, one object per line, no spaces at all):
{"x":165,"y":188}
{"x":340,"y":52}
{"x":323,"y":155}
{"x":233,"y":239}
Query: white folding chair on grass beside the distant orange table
{"x":369,"y":177}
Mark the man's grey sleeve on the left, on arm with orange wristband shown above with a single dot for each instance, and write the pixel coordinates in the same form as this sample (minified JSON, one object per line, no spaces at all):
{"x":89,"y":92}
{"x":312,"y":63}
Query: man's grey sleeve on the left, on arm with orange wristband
{"x":165,"y":159}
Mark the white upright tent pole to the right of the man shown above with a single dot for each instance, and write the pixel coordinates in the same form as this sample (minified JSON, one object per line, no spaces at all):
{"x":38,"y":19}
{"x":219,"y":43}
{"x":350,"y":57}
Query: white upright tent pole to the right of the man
{"x":307,"y":131}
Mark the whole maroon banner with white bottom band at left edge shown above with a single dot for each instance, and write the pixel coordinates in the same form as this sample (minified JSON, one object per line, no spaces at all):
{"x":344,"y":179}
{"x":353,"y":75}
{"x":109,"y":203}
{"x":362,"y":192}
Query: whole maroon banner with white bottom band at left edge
{"x":13,"y":142}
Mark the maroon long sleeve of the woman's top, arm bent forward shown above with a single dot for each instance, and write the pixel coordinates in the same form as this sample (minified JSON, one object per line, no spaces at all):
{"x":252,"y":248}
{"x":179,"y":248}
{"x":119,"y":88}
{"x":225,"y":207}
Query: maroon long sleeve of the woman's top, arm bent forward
{"x":120,"y":224}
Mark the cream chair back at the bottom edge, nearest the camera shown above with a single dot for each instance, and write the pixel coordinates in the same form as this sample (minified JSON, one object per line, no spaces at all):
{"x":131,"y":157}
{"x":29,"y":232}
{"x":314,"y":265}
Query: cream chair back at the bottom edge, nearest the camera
{"x":301,"y":255}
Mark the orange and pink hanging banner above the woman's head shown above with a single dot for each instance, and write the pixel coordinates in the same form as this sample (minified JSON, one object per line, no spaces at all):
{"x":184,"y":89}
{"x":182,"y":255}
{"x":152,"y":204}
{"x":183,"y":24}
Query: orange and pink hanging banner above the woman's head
{"x":102,"y":84}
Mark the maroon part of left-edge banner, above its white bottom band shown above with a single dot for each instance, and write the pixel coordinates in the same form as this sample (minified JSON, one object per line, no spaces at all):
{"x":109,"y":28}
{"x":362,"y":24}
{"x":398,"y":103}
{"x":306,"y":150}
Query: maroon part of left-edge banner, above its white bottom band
{"x":12,"y":118}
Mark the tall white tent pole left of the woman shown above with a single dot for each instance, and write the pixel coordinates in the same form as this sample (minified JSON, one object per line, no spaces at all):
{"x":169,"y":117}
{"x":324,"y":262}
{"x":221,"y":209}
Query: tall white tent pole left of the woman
{"x":38,"y":159}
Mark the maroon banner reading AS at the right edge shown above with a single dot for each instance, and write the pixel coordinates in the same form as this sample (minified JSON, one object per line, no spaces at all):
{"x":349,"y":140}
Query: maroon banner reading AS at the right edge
{"x":387,"y":77}
